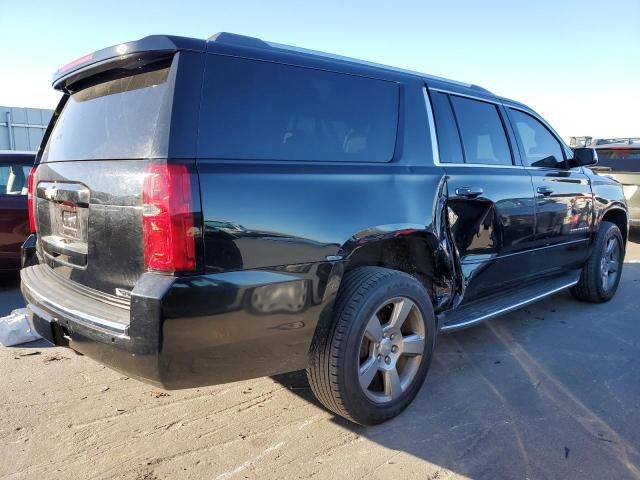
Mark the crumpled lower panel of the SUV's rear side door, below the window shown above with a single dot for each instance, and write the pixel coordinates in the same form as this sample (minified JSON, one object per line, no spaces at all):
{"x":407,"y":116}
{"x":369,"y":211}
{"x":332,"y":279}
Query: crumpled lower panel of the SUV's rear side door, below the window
{"x":493,"y":231}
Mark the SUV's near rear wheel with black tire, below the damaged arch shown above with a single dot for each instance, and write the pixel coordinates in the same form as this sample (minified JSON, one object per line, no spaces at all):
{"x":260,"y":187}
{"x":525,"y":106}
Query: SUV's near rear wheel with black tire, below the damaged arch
{"x":335,"y":372}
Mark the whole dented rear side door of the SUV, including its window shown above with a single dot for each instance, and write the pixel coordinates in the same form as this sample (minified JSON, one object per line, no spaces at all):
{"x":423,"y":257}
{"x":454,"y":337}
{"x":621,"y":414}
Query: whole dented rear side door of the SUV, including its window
{"x":490,"y":197}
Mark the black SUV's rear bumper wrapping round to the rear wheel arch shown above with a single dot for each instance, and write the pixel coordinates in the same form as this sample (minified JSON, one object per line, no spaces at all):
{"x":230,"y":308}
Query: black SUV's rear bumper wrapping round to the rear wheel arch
{"x":181,"y":332}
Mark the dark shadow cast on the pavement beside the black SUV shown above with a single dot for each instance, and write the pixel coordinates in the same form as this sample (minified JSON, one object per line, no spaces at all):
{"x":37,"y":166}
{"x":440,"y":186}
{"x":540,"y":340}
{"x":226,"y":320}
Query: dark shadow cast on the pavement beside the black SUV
{"x":527,"y":395}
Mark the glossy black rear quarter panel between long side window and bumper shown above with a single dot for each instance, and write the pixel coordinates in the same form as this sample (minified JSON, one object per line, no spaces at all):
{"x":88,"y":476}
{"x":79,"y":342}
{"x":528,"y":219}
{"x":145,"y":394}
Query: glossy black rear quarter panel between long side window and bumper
{"x":265,"y":215}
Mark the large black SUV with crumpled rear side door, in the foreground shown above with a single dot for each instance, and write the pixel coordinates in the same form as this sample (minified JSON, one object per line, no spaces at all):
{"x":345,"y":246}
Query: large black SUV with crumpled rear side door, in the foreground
{"x":209,"y":211}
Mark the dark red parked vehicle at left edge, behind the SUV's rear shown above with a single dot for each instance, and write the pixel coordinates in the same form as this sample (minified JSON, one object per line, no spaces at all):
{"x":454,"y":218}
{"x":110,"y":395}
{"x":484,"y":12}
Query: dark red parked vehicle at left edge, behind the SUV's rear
{"x":14,"y":221}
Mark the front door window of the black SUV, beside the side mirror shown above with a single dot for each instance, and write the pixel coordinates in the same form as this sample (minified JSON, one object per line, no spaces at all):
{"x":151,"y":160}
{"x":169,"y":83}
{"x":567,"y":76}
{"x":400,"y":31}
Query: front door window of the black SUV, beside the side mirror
{"x":541,"y":148}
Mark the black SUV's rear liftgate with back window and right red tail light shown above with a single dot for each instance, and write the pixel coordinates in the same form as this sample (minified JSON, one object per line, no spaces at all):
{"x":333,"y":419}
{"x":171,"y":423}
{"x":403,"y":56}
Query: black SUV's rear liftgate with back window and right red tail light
{"x":109,"y":145}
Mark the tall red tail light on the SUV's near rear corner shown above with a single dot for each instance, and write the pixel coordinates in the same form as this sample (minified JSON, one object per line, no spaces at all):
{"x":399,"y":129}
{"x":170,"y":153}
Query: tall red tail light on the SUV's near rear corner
{"x":168,"y":219}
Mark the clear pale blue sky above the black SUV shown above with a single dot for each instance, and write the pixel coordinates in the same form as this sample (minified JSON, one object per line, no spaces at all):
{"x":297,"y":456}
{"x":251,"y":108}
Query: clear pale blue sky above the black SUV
{"x":575,"y":62}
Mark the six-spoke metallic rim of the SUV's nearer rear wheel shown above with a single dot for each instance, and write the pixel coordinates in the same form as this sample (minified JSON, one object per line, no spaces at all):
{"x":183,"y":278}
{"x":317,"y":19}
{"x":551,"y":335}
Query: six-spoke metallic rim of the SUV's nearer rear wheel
{"x":391,"y":350}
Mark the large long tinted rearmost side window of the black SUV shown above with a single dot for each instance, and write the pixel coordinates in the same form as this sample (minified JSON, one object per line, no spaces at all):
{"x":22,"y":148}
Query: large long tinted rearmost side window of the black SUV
{"x":267,"y":111}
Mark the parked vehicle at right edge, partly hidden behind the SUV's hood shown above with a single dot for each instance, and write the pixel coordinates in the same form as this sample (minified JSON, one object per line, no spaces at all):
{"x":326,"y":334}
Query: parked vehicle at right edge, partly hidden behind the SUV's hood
{"x":619,"y":158}
